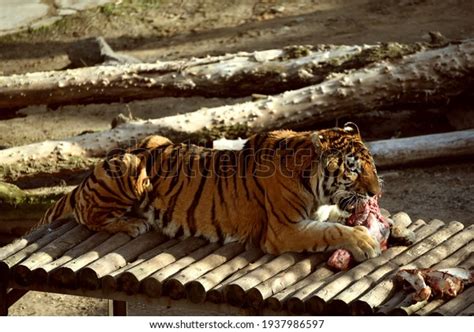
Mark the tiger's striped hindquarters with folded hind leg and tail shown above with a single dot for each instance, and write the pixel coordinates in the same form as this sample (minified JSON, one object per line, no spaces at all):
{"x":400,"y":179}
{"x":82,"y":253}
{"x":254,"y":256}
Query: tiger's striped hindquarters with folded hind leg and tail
{"x":113,"y":198}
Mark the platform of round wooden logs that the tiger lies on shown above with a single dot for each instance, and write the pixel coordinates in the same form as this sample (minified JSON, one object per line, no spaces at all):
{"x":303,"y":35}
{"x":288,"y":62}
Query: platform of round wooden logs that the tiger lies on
{"x":69,"y":259}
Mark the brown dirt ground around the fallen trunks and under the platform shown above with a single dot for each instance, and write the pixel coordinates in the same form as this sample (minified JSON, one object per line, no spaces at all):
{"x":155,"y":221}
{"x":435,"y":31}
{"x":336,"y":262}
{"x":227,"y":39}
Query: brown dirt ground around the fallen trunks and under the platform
{"x":172,"y":29}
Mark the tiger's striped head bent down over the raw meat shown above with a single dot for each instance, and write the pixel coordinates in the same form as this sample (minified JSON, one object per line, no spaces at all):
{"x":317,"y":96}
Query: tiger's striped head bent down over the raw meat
{"x":346,"y":170}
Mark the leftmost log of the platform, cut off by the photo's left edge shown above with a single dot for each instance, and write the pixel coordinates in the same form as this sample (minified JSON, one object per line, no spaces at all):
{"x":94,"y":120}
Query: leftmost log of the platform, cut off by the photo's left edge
{"x":20,"y":255}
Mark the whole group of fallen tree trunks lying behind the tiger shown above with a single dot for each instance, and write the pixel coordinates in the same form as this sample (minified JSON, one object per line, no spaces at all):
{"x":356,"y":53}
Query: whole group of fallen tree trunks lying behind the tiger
{"x":298,"y":87}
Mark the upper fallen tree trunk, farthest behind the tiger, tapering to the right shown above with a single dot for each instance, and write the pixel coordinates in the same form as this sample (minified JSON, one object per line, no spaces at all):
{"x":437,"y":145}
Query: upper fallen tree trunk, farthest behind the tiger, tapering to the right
{"x":233,"y":75}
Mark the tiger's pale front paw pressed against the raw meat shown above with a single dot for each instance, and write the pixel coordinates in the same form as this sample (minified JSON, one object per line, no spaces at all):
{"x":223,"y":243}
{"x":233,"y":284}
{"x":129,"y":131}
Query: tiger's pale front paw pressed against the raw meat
{"x":362,"y":245}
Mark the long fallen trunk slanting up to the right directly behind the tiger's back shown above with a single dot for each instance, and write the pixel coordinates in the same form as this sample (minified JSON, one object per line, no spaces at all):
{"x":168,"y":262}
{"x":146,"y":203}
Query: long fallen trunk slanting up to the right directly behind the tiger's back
{"x":425,"y":77}
